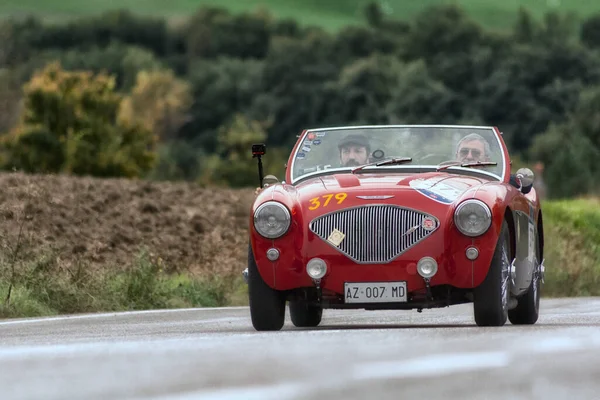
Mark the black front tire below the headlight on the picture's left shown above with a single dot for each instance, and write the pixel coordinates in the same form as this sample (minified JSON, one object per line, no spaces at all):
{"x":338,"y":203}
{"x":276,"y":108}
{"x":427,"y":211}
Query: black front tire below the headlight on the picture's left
{"x":267,"y":306}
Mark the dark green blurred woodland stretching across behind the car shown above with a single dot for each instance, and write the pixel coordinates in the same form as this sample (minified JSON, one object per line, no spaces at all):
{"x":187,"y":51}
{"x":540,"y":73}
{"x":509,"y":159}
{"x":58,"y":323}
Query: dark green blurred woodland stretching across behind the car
{"x":278,"y":77}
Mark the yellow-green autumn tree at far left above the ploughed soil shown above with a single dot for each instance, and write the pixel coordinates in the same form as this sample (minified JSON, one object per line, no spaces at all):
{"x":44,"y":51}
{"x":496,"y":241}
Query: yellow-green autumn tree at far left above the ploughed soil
{"x":69,"y":124}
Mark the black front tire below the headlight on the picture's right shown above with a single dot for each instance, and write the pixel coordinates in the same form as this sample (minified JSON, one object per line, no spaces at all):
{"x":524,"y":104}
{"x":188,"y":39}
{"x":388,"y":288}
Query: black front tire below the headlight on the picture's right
{"x":490,"y":299}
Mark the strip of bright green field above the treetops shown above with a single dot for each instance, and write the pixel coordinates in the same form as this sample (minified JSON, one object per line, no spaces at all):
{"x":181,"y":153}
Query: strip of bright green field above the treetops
{"x":496,"y":14}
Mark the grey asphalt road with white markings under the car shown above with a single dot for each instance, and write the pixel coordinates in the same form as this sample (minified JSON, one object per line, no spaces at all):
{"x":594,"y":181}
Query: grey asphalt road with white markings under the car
{"x":355,"y":354}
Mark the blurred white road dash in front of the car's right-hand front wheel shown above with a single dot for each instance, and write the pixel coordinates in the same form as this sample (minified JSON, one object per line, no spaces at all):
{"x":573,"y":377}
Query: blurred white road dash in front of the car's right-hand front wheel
{"x":435,"y":365}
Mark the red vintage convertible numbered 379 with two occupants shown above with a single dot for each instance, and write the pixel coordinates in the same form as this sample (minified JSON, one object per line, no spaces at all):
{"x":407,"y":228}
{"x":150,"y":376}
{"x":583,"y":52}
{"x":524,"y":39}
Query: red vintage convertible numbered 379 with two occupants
{"x":396,"y":217}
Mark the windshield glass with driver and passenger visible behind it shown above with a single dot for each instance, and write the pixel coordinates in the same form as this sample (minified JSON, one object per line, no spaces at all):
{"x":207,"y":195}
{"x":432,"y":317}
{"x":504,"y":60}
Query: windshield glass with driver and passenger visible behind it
{"x":345,"y":149}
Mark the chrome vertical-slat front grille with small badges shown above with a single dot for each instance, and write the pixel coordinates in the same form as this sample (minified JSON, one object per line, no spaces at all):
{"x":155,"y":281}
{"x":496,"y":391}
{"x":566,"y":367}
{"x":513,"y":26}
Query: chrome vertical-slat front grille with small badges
{"x":375,"y":233}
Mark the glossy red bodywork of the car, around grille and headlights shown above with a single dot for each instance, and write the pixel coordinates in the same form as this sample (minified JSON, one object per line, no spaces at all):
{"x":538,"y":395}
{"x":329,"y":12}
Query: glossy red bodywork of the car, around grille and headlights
{"x":316,"y":196}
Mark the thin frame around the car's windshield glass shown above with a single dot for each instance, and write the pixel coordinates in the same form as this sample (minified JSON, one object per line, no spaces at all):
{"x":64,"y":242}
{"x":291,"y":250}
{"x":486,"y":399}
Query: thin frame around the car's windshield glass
{"x":293,"y":180}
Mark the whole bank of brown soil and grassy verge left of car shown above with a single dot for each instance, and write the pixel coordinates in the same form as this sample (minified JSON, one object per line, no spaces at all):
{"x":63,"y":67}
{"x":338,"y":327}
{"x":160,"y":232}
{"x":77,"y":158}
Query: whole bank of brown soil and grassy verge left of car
{"x":85,"y":244}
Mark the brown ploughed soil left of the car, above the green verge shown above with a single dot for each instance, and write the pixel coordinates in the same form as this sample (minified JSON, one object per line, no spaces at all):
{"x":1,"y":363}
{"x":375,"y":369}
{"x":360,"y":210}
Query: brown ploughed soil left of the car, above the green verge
{"x":108,"y":222}
